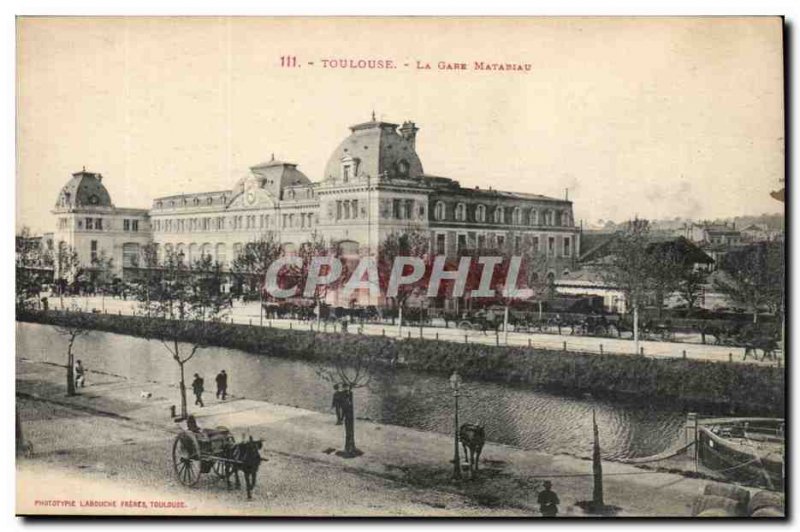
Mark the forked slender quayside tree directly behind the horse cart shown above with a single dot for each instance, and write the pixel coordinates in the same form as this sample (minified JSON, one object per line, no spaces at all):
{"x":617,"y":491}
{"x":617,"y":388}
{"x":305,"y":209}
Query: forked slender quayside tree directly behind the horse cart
{"x":172,"y":300}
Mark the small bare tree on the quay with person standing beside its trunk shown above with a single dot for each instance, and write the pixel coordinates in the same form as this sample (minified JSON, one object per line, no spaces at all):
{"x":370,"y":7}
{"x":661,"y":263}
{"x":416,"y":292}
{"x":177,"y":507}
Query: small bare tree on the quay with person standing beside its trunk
{"x":354,"y":368}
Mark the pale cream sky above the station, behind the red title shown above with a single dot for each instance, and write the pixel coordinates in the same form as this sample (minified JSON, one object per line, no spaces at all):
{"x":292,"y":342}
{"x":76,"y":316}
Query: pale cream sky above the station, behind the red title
{"x":656,"y":117}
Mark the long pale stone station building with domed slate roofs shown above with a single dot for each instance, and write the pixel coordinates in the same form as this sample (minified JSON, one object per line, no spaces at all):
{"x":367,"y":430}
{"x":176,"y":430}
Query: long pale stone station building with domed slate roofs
{"x":373,"y":185}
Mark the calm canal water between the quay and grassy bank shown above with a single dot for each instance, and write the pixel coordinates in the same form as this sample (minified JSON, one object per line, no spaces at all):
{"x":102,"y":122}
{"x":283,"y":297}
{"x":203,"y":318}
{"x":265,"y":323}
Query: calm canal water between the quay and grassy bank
{"x":516,"y":415}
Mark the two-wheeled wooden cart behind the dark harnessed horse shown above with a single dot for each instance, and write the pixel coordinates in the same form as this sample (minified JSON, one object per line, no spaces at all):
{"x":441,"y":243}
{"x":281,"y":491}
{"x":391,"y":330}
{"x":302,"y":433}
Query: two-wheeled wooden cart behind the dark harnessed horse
{"x":204,"y":451}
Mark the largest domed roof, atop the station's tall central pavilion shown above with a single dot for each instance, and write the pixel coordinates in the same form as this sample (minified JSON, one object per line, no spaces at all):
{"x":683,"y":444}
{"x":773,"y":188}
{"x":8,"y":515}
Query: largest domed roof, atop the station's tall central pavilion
{"x":377,"y":148}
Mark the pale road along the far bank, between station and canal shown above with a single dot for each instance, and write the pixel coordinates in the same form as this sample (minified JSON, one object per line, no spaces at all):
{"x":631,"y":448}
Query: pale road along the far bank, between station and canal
{"x":249,"y":313}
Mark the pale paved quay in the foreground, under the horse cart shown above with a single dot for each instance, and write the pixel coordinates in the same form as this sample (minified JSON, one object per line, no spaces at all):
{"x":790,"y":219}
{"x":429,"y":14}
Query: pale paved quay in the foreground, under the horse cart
{"x":402,"y":472}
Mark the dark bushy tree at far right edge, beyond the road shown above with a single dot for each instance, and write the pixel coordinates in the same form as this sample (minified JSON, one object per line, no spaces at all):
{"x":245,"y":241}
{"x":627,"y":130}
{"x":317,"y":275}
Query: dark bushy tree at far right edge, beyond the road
{"x":754,"y":277}
